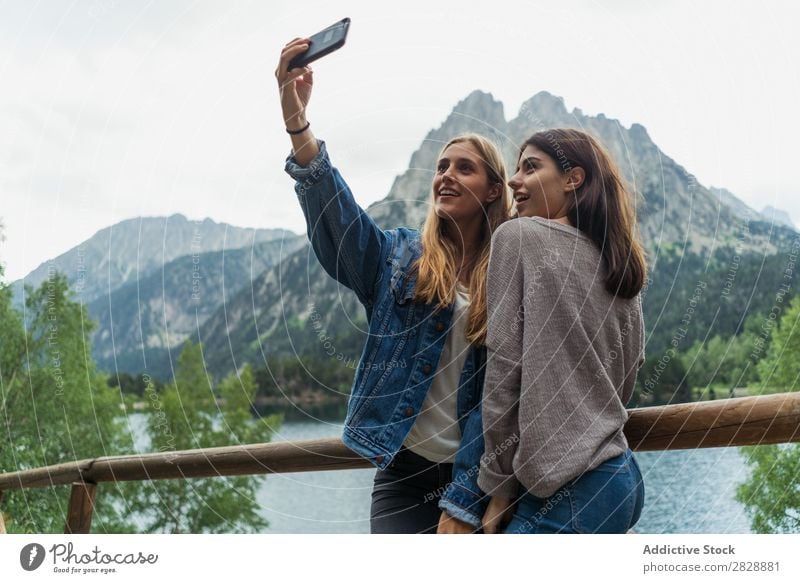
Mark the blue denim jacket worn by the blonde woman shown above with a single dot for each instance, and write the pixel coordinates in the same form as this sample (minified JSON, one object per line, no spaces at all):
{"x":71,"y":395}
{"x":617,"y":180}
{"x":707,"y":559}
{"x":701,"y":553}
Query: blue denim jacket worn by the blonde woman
{"x":405,"y":338}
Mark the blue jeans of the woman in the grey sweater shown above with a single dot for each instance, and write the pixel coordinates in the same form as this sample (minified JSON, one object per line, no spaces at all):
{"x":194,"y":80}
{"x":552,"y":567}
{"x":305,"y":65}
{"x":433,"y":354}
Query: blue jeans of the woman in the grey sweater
{"x":607,"y":499}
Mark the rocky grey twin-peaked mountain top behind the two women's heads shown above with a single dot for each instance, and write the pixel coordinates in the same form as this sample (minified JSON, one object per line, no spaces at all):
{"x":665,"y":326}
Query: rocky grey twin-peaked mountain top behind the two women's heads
{"x":674,"y":207}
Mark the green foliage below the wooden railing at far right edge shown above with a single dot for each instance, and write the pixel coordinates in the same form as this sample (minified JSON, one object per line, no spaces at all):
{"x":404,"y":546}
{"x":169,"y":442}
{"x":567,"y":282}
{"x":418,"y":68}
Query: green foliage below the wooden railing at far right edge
{"x":770,"y":495}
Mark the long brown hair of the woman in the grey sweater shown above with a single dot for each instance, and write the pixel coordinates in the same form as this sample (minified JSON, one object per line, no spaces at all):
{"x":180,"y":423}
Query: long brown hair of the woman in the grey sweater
{"x":602,"y":207}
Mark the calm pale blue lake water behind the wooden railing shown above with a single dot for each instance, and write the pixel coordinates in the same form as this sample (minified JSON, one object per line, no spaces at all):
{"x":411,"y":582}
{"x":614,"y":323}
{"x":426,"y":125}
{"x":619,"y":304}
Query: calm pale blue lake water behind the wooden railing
{"x":687,"y":491}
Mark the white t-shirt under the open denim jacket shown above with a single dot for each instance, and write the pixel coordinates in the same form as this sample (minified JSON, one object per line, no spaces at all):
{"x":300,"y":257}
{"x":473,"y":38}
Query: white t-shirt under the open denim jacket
{"x":436,"y":435}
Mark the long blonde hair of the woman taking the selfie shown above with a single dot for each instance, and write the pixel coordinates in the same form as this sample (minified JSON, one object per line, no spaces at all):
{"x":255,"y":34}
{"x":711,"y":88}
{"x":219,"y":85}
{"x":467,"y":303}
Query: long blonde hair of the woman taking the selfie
{"x":436,"y":267}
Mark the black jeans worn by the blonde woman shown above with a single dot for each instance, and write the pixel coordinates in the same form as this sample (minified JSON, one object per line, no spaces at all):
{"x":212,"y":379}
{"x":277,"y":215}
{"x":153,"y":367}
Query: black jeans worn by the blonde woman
{"x":406,"y":495}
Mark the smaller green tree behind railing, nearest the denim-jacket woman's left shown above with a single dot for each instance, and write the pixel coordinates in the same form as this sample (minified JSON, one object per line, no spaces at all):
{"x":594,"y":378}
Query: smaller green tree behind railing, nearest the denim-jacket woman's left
{"x":187,"y":416}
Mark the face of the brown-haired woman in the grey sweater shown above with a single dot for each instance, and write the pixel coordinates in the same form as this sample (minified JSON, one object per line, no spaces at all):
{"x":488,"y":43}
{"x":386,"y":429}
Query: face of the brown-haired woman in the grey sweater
{"x":539,"y":187}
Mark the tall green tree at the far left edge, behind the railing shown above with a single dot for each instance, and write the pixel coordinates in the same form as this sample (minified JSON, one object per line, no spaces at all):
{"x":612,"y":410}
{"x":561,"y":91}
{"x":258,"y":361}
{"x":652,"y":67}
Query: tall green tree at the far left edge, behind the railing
{"x":56,"y":406}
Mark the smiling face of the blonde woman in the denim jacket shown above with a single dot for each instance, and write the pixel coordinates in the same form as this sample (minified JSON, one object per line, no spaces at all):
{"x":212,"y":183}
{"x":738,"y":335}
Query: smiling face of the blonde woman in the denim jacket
{"x":461,"y":188}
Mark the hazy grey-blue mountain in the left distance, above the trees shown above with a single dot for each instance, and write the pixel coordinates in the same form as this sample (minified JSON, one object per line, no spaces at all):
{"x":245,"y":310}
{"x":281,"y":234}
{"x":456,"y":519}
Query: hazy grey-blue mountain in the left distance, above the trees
{"x":149,"y":281}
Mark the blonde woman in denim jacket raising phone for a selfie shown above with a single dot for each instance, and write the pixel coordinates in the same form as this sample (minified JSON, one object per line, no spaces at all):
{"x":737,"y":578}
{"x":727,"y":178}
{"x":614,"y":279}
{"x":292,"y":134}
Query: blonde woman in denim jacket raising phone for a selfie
{"x":414,"y":411}
